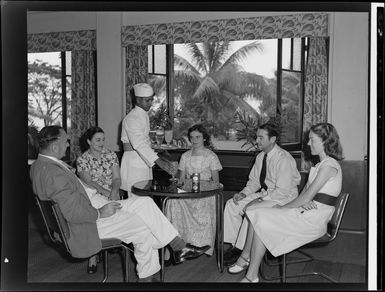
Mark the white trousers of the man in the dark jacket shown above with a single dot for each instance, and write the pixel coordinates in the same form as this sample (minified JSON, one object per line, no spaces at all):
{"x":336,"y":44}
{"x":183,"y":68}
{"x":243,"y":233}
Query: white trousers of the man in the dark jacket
{"x":141,"y":222}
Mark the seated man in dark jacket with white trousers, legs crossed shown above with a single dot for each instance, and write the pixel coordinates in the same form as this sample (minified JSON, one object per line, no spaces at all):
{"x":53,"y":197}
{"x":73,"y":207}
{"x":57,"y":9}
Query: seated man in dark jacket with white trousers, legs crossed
{"x":91,"y":216}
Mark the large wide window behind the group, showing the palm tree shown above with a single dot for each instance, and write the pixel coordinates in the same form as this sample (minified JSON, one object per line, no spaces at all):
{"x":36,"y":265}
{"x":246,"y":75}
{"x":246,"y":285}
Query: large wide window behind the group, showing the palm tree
{"x":226,"y":85}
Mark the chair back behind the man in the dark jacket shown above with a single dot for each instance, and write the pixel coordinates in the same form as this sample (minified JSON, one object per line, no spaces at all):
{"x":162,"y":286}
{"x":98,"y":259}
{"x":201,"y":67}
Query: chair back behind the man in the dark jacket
{"x":54,"y":221}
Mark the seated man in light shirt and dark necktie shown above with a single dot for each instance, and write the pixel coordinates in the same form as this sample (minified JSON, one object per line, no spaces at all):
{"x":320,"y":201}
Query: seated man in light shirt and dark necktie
{"x":272,"y":180}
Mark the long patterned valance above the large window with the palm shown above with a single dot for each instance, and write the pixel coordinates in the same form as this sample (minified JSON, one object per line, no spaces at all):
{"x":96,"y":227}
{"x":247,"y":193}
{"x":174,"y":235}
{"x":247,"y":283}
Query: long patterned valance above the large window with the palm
{"x":282,"y":26}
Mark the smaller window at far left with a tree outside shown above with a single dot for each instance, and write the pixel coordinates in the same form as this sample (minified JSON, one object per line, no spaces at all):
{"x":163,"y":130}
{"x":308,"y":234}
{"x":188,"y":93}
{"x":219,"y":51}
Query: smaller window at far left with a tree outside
{"x":49,"y":89}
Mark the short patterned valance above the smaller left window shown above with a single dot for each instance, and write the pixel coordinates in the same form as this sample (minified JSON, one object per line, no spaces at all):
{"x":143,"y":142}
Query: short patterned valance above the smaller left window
{"x":62,"y":41}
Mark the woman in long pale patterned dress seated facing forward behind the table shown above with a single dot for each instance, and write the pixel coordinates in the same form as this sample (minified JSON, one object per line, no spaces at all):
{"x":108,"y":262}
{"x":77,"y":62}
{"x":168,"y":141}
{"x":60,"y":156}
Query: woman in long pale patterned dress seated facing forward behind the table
{"x":195,"y":218}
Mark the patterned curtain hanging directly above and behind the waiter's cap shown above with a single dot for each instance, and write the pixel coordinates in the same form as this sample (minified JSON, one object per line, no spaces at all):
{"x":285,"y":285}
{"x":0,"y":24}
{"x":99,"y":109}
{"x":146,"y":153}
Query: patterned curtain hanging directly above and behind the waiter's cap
{"x":136,"y":69}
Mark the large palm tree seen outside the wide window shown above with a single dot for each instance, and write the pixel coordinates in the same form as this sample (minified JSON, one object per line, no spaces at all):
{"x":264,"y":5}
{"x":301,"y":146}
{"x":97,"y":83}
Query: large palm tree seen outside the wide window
{"x":214,"y":86}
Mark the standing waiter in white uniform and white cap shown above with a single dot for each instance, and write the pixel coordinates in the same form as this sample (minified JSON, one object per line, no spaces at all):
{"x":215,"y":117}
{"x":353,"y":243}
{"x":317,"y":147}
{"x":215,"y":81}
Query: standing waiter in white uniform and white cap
{"x":139,"y":158}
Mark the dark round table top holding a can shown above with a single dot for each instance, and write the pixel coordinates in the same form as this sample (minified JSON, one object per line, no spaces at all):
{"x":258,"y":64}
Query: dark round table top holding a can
{"x":152,"y":187}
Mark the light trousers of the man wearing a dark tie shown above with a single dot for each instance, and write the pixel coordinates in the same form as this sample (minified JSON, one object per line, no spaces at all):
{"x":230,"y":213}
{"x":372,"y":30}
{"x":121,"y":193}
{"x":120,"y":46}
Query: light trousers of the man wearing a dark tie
{"x":235,"y":225}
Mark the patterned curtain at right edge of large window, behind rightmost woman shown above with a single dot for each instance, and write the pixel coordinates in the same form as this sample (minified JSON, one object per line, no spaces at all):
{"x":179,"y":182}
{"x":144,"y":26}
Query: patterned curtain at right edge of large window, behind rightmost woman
{"x":316,"y":93}
